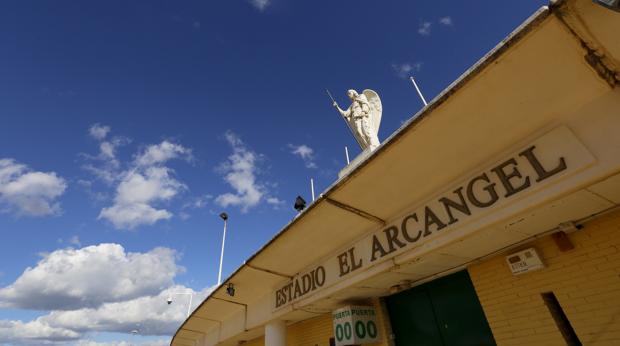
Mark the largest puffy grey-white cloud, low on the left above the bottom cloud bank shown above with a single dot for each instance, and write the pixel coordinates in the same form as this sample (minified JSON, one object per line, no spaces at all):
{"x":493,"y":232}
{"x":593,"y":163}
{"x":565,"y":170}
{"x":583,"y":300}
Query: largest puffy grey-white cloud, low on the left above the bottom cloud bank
{"x":88,"y":277}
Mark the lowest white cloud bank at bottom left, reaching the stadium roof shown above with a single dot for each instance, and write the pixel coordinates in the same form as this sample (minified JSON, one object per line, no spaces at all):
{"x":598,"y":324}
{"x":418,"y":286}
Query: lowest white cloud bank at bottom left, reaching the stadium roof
{"x":147,"y":316}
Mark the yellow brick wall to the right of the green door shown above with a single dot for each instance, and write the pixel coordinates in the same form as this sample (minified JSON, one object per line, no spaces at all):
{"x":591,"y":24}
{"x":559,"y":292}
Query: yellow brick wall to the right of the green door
{"x":585,"y":281}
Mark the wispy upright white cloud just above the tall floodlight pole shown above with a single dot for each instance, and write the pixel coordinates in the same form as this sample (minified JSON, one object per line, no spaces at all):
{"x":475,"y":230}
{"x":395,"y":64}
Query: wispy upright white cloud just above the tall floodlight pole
{"x":240,"y":174}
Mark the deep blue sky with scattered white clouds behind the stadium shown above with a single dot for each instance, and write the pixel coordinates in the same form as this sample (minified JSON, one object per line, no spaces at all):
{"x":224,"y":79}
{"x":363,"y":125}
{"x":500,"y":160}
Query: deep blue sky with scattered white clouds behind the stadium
{"x":127,"y":127}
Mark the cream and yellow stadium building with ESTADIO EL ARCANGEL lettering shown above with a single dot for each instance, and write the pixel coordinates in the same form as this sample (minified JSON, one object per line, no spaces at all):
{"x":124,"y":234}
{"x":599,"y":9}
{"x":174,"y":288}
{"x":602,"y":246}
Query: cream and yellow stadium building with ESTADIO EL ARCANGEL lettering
{"x":490,"y":217}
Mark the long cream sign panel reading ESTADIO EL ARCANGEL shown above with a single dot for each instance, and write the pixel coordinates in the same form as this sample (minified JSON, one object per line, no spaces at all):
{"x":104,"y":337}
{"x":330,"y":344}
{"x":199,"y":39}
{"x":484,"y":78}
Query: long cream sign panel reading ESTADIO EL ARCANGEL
{"x":528,"y":170}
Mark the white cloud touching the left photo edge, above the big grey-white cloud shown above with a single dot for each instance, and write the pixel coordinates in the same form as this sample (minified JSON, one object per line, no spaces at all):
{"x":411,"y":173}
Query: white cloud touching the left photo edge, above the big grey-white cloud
{"x":29,"y":192}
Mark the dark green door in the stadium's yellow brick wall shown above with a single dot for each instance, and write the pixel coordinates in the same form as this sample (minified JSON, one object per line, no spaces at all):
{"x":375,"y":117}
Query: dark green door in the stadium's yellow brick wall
{"x":443,"y":312}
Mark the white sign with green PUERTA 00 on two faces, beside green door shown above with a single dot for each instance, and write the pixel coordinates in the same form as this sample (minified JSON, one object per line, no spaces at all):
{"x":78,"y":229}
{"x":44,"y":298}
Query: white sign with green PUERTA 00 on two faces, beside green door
{"x":355,"y":325}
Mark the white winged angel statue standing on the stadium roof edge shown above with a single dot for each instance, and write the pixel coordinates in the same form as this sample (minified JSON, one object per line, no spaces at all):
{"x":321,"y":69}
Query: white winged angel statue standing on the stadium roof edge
{"x":363,"y":117}
